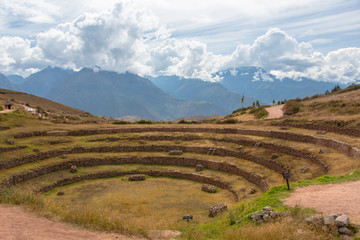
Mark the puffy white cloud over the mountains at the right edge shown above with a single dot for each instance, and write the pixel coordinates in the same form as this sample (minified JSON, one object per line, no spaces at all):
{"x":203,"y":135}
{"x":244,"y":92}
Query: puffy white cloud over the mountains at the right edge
{"x":281,"y":54}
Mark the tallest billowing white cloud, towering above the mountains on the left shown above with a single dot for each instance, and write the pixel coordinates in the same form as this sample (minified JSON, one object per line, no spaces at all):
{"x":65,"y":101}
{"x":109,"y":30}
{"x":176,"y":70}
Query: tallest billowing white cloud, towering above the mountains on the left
{"x":113,"y":39}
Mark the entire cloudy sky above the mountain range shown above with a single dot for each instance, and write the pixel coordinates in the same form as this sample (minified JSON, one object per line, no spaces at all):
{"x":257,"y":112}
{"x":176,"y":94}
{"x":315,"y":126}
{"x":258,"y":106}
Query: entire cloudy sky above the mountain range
{"x":318,"y":39}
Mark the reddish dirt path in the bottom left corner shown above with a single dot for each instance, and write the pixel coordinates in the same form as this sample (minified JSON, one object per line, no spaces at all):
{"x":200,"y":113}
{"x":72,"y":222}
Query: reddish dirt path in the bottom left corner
{"x":18,"y":224}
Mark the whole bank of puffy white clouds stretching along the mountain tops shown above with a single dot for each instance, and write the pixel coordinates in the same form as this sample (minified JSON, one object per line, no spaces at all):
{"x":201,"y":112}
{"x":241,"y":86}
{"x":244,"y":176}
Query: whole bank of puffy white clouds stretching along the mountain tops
{"x":128,"y":38}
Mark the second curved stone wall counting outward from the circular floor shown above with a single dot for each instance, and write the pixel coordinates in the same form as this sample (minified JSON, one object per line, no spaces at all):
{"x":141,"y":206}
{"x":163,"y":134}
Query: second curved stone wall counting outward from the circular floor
{"x":177,"y":161}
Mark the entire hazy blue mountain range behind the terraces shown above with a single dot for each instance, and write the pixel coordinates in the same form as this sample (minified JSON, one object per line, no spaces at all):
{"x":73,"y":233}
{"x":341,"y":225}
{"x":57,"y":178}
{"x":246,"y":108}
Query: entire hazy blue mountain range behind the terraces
{"x":112,"y":94}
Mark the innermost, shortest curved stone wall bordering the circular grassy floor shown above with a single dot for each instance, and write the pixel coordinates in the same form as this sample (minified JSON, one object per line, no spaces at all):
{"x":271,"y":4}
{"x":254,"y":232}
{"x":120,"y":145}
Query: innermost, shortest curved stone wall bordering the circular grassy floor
{"x":109,"y":174}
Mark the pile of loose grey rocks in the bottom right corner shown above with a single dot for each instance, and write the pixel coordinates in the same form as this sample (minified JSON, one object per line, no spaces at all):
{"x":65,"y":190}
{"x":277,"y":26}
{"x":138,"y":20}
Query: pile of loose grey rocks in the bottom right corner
{"x":336,"y":223}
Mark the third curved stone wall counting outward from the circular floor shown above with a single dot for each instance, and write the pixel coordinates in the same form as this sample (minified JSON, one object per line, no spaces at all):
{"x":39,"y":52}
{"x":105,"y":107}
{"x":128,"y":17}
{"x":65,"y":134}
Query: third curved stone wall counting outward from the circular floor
{"x":269,"y":163}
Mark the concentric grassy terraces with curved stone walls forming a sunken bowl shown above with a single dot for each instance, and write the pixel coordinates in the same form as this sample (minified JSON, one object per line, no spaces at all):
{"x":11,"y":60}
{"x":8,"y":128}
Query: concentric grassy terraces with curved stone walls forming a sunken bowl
{"x":235,"y":159}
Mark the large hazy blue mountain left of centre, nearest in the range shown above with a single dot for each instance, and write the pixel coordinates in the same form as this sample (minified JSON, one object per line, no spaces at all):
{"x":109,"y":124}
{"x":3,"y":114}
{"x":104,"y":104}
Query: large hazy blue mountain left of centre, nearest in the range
{"x":115,"y":95}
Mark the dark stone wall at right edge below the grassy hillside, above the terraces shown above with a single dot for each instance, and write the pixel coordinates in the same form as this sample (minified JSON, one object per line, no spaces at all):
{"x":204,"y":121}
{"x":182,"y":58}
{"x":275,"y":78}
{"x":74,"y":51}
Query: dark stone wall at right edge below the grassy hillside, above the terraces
{"x":339,"y":130}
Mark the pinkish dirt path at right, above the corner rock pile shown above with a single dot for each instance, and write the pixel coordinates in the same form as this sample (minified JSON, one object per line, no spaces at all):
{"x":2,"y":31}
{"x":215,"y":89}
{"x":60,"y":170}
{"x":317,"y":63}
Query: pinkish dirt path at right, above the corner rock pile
{"x":331,"y":198}
